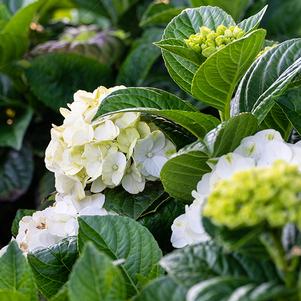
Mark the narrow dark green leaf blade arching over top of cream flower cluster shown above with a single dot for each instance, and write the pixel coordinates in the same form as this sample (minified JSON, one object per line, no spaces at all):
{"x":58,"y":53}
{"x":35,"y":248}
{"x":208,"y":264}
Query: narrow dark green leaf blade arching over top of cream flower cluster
{"x":143,"y":98}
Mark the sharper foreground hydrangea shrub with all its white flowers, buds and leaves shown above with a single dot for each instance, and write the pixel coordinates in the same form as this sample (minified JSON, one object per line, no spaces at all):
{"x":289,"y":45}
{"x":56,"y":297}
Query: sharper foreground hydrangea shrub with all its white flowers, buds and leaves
{"x":140,"y":172}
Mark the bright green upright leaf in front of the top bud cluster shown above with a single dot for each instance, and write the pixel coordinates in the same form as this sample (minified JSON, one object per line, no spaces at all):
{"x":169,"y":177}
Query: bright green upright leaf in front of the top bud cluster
{"x":215,"y":81}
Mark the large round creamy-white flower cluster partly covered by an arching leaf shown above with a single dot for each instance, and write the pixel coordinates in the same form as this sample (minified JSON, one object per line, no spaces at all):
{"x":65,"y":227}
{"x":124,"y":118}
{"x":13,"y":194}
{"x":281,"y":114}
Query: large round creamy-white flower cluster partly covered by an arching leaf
{"x":113,"y":150}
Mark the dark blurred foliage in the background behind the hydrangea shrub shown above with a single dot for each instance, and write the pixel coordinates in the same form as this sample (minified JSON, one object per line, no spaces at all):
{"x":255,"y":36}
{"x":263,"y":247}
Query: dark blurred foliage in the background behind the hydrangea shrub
{"x":51,"y":48}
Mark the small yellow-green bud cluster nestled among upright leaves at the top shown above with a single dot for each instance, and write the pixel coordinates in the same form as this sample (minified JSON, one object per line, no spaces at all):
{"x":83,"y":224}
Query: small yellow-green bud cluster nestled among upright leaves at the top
{"x":208,"y":41}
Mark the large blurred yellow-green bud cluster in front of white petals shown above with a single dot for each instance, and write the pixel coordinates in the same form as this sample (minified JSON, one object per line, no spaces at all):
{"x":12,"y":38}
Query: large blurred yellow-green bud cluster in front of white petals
{"x":269,"y":195}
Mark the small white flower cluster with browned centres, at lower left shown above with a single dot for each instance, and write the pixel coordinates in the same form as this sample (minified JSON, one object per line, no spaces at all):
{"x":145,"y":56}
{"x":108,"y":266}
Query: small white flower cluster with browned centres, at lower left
{"x":49,"y":226}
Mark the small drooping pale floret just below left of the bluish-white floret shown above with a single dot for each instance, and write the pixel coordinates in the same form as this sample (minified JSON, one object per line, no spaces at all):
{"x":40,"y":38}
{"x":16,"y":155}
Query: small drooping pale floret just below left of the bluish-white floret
{"x":133,"y":182}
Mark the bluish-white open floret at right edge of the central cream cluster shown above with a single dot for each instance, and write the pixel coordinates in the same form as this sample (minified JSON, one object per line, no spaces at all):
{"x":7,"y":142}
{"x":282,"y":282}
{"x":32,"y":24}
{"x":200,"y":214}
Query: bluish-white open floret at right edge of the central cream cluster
{"x":152,"y":152}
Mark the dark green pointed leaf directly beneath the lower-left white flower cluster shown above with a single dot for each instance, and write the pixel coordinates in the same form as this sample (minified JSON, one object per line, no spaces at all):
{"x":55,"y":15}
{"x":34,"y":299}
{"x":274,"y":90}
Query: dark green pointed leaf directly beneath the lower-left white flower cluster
{"x":51,"y":266}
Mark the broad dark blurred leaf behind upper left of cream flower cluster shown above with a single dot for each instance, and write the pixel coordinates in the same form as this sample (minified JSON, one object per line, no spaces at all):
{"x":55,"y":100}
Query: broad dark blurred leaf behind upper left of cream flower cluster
{"x":54,"y":77}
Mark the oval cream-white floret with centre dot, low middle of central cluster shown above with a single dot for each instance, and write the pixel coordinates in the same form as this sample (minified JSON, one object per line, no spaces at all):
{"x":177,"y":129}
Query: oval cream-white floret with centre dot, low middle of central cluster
{"x":113,"y":168}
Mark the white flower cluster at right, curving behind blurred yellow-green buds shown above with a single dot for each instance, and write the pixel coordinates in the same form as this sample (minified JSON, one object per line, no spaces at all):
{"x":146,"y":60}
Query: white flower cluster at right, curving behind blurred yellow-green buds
{"x":260,"y":150}
